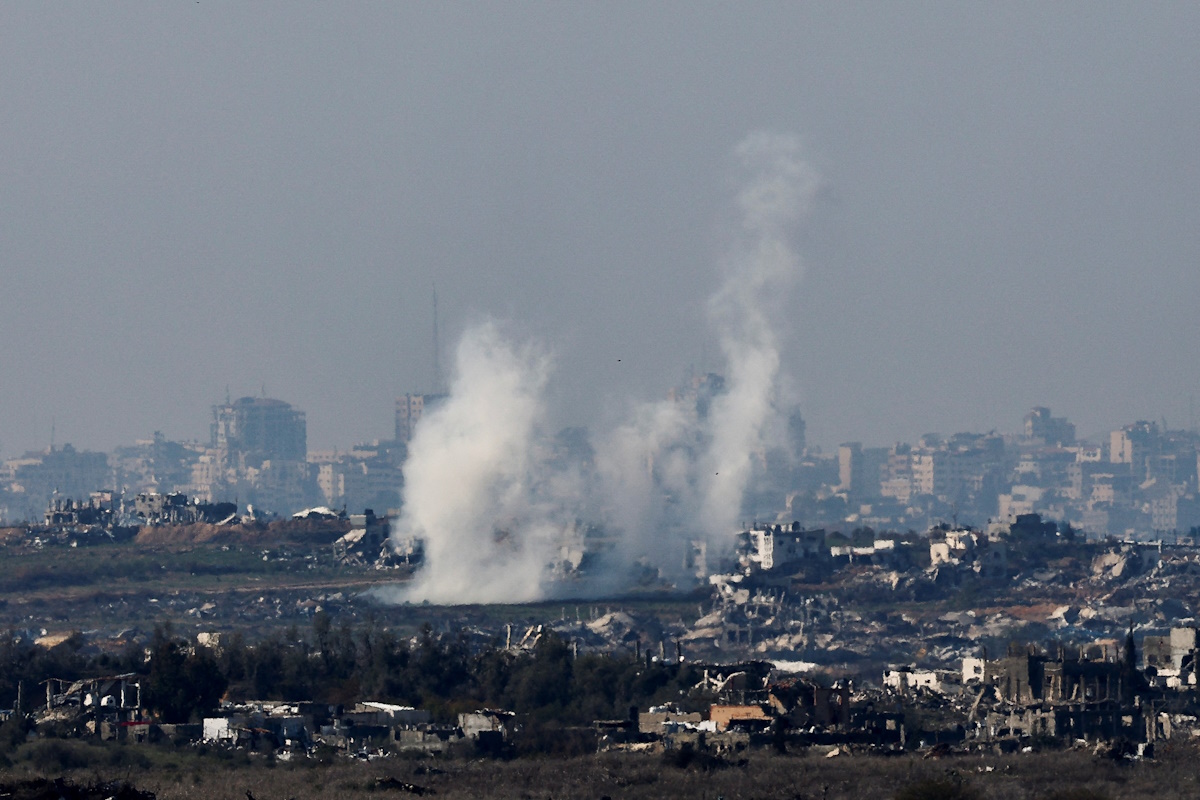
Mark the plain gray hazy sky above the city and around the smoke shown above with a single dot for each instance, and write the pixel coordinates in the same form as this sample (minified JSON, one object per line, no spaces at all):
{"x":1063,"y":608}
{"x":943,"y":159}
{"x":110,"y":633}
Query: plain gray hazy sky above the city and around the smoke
{"x":201,"y":195}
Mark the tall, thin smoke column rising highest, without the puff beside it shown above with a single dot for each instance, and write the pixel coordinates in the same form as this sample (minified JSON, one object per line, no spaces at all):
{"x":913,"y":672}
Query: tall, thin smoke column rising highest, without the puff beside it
{"x":747,"y":312}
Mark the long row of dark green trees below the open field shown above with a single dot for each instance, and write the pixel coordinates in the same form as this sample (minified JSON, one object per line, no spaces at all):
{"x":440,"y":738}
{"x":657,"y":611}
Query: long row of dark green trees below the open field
{"x":341,"y":665}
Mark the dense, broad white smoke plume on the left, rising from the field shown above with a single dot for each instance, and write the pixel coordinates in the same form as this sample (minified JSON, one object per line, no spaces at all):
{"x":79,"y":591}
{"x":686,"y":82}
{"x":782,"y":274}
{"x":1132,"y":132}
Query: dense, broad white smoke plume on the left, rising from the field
{"x":469,"y":486}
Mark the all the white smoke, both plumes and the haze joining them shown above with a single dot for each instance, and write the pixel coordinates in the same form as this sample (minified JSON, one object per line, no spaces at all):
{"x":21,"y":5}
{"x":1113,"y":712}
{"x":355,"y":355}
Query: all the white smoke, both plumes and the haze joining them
{"x":495,"y":501}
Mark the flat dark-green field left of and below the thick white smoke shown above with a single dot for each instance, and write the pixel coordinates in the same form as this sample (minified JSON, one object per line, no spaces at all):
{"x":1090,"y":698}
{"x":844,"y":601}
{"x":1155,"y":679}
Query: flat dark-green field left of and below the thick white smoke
{"x":260,"y":587}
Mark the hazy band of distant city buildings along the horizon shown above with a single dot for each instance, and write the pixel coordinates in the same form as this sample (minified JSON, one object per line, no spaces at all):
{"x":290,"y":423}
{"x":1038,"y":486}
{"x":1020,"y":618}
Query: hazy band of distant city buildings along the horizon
{"x":1138,"y":480}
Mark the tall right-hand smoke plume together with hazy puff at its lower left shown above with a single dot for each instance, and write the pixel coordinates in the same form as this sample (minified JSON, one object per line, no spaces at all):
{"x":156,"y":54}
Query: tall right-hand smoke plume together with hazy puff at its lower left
{"x":670,"y":476}
